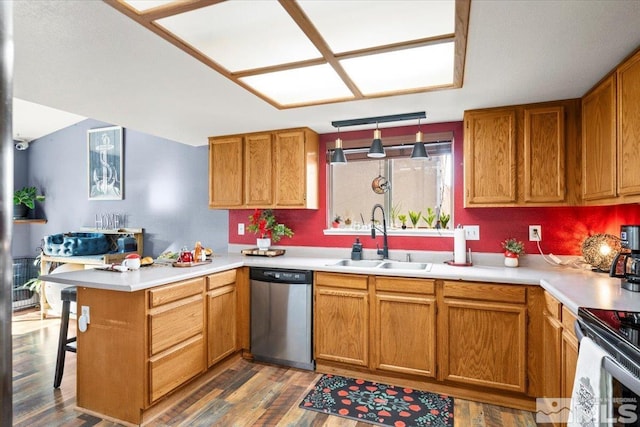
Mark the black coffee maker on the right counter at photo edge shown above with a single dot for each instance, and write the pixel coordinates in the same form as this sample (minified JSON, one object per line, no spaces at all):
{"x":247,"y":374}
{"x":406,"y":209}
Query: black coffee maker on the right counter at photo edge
{"x":630,"y":241}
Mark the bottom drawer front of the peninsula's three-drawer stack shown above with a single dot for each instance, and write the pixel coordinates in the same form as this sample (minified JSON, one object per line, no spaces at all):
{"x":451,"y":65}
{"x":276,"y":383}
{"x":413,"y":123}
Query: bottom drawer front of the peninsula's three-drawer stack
{"x":170,"y":370}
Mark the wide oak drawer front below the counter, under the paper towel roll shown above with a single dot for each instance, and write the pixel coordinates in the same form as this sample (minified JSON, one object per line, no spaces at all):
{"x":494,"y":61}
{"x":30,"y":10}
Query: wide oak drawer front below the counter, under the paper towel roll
{"x":485,"y":292}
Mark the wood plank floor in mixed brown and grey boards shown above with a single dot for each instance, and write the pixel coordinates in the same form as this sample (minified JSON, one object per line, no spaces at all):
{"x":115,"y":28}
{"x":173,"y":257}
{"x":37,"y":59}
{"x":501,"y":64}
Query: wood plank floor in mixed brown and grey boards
{"x":241,"y":394}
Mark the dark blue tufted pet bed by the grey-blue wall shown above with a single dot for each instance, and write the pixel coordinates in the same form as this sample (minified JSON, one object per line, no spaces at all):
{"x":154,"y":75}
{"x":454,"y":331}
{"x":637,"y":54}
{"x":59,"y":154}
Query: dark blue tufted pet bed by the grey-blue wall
{"x":75,"y":244}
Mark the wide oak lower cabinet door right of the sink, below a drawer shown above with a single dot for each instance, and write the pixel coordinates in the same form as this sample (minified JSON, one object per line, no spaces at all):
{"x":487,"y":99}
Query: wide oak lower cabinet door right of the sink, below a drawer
{"x":483,"y":343}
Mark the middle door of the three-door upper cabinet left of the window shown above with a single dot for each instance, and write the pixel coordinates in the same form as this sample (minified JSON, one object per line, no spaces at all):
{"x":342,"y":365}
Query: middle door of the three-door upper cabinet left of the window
{"x":258,"y":156}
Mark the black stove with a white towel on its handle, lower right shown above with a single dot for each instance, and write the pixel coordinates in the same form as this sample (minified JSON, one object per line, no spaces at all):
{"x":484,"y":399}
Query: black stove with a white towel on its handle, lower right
{"x":618,"y":334}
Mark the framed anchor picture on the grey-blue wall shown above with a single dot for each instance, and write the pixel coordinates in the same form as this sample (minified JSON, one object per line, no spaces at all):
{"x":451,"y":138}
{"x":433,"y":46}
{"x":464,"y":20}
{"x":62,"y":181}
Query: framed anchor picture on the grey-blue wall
{"x":105,"y":163}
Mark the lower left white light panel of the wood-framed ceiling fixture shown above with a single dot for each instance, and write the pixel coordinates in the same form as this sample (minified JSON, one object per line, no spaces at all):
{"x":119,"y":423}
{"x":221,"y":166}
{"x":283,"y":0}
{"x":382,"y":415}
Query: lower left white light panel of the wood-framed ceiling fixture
{"x":301,"y":85}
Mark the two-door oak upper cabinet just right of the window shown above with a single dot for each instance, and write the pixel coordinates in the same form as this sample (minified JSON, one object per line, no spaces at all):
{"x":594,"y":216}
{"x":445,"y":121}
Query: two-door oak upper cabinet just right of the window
{"x":517,"y":155}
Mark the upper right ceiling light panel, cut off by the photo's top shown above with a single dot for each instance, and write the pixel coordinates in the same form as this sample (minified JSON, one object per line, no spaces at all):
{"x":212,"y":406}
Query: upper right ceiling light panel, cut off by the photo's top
{"x":380,"y":22}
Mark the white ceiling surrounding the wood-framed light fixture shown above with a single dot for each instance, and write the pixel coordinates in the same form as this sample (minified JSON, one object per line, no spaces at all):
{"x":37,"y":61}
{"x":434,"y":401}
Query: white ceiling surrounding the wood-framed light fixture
{"x":86,"y":58}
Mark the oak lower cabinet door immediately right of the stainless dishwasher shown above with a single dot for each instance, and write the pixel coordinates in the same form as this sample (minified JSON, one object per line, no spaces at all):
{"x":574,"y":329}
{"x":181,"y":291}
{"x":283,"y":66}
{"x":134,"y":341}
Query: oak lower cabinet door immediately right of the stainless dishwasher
{"x":341,"y":325}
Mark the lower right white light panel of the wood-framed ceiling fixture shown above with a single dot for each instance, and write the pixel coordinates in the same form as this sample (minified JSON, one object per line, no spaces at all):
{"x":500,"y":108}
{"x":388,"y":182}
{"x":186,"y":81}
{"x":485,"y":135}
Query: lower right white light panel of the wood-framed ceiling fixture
{"x":402,"y":70}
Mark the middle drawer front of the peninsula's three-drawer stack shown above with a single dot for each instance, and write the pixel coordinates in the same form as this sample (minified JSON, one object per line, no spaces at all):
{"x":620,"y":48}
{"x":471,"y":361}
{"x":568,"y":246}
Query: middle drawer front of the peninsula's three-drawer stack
{"x":170,"y":327}
